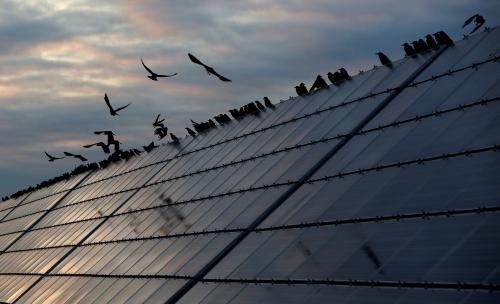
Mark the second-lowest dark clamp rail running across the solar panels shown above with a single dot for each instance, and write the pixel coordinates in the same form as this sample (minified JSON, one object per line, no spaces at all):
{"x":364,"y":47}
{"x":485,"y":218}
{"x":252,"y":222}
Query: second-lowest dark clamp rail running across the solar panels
{"x":423,"y":215}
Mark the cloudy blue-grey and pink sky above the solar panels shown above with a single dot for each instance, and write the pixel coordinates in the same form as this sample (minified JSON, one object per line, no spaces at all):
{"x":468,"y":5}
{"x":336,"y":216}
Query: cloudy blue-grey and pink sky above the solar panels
{"x":58,"y":58}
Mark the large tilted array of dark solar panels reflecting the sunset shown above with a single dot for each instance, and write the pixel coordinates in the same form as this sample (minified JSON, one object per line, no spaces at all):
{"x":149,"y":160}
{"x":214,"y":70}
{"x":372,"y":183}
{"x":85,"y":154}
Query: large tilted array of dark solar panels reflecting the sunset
{"x":384,"y":189}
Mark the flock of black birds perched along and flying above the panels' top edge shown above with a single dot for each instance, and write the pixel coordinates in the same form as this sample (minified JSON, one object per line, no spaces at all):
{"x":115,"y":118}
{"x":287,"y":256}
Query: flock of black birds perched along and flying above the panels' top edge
{"x":112,"y":145}
